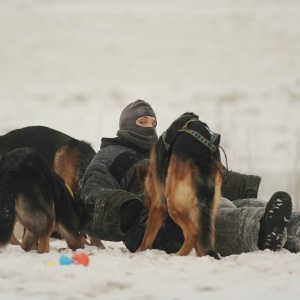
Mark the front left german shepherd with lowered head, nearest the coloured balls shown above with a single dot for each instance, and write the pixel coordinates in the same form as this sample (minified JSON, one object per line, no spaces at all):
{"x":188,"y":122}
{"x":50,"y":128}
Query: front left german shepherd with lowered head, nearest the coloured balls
{"x":39,"y":199}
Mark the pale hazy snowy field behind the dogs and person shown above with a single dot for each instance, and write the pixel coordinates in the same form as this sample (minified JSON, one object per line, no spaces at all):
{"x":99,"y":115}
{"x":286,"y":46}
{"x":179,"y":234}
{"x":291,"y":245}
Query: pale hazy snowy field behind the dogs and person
{"x":73,"y":65}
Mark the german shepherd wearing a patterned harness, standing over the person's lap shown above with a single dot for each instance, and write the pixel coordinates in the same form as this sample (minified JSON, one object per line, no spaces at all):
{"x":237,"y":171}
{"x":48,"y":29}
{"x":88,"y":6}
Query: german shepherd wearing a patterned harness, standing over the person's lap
{"x":184,"y":180}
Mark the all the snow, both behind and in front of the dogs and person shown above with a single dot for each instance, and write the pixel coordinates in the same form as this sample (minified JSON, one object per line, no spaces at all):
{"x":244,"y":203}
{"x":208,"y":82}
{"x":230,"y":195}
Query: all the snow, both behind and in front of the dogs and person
{"x":73,"y":65}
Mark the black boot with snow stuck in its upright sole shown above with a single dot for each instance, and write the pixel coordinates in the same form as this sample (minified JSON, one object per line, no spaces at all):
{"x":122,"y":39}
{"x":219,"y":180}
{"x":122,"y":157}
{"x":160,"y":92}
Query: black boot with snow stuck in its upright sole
{"x":273,"y":223}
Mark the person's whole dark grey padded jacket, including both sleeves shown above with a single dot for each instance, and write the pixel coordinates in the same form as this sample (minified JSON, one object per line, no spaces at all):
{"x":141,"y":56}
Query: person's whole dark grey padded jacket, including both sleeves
{"x":110,"y":182}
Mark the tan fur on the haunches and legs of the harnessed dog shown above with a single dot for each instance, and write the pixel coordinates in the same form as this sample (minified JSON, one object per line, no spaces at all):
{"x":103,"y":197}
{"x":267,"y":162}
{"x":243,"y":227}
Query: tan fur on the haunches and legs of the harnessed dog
{"x":178,"y":196}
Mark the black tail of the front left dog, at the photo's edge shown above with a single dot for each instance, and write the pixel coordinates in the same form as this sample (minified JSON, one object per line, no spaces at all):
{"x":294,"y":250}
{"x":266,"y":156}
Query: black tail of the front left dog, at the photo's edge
{"x":7,"y":214}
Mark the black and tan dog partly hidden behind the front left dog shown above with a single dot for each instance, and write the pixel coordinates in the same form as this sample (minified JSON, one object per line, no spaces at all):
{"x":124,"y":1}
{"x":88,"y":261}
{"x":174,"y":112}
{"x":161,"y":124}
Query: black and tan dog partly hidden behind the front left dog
{"x":67,"y":156}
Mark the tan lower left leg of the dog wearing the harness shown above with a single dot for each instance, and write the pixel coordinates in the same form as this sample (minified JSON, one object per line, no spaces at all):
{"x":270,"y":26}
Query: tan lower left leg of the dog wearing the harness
{"x":155,"y":220}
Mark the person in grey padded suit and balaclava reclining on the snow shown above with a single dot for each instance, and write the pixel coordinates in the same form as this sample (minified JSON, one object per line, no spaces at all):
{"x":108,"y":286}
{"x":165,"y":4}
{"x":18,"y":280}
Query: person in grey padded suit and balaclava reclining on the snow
{"x":113,"y":198}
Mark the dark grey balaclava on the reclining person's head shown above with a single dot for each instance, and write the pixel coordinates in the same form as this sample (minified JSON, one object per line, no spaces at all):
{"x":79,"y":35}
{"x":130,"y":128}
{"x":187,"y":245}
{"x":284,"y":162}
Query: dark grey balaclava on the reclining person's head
{"x":143,"y":137}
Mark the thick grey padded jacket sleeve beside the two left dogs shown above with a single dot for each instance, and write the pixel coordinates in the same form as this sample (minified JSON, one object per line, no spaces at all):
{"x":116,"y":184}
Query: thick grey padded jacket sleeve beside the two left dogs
{"x":103,"y":192}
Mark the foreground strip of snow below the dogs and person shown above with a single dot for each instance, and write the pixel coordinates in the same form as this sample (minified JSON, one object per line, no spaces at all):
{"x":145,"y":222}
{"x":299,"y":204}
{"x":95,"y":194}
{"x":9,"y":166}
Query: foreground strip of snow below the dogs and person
{"x":116,"y":274}
